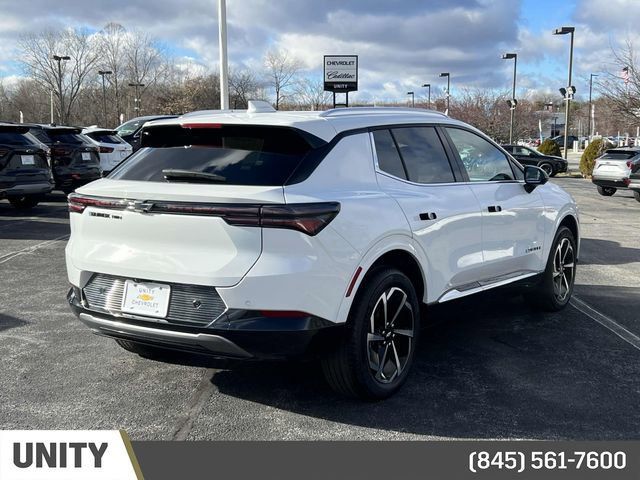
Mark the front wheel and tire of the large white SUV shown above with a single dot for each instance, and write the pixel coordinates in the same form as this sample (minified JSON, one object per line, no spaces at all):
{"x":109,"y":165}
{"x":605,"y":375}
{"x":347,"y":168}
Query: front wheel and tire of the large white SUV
{"x":555,"y":288}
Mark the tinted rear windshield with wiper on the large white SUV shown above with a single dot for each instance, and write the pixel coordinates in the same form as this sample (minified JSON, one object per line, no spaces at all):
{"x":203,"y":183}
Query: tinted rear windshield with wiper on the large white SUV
{"x":230,"y":154}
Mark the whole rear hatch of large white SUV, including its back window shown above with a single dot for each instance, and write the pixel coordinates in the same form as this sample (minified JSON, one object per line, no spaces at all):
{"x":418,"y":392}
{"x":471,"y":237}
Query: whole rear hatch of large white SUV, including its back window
{"x":187,"y":208}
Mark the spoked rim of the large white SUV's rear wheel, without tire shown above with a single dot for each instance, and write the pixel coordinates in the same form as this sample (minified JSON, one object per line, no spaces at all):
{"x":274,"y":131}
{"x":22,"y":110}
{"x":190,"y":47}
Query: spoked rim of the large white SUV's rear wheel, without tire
{"x":390,"y":335}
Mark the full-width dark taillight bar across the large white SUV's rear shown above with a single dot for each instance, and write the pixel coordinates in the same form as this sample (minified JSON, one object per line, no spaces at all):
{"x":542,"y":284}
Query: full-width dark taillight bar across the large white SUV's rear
{"x":308,"y":218}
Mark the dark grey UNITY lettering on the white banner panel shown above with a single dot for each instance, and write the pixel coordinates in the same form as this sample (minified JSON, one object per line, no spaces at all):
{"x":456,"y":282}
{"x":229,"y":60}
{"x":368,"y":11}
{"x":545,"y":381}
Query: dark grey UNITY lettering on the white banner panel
{"x":57,"y":455}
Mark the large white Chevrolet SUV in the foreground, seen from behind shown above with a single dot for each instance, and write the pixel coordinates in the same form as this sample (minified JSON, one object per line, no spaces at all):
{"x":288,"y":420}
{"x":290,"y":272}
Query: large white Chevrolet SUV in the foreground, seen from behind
{"x":263,"y":234}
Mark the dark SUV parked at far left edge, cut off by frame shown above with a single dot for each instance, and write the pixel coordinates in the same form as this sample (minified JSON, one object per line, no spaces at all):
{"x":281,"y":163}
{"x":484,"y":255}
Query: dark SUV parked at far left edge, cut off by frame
{"x":25,"y":175}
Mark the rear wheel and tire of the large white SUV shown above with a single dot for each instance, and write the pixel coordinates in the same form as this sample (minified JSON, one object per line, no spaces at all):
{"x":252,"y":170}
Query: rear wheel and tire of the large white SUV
{"x":373,"y":360}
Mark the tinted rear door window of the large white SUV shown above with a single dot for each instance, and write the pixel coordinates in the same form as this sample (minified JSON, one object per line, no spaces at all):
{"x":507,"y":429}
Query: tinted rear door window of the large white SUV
{"x":423,"y":155}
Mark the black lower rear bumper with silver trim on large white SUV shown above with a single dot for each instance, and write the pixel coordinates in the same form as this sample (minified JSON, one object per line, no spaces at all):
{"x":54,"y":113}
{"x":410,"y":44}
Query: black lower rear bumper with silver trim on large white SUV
{"x":242,"y":335}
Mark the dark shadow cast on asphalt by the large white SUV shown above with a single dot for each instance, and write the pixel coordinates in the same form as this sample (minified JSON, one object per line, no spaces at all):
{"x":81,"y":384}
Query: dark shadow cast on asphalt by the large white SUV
{"x":491,"y":368}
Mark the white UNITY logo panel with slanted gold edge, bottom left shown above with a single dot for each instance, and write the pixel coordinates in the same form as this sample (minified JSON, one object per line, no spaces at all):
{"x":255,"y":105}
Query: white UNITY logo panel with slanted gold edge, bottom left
{"x":72,"y":455}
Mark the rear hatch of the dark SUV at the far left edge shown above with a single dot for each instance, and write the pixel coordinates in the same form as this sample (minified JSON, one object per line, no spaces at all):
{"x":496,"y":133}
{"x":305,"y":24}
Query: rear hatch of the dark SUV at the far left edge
{"x":22,"y":161}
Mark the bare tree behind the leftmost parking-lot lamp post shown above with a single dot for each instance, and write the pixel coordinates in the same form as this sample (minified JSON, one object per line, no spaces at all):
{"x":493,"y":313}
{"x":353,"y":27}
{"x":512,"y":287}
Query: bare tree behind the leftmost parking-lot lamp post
{"x":65,"y":78}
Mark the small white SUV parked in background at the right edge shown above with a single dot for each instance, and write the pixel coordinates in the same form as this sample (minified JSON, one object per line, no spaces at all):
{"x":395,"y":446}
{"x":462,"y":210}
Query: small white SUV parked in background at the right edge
{"x":614,"y":168}
